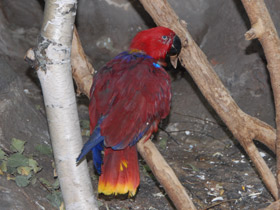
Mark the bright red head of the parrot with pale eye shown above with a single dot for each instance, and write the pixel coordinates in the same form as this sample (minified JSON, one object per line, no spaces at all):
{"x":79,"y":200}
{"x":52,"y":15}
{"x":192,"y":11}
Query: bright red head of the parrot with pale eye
{"x":157,"y":42}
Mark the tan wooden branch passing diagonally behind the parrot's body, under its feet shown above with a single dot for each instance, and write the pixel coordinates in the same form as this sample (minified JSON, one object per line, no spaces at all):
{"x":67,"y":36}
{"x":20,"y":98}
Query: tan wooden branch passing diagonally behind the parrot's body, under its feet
{"x":165,"y":175}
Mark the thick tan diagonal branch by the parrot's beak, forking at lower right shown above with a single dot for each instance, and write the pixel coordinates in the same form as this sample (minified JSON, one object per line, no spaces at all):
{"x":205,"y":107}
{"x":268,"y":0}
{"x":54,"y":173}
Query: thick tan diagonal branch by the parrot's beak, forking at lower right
{"x":245,"y":128}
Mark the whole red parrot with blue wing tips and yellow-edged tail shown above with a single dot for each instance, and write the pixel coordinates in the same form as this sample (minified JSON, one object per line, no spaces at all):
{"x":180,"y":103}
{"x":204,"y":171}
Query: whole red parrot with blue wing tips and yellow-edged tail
{"x":128,"y":98}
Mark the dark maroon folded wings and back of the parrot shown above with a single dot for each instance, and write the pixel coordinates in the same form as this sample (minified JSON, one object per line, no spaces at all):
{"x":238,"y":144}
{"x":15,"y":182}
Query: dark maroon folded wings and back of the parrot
{"x":131,"y":94}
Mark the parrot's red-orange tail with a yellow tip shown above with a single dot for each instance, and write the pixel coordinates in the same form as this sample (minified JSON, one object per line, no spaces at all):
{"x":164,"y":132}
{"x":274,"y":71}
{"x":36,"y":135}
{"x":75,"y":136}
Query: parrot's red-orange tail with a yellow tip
{"x":120,"y":172}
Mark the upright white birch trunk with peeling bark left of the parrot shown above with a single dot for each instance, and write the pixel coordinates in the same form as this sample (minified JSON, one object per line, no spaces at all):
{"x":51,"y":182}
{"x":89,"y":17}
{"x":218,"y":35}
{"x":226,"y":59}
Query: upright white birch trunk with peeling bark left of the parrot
{"x":53,"y":55}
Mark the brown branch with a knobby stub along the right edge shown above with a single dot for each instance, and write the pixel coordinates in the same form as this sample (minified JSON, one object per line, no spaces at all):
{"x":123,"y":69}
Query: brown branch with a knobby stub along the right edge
{"x":264,"y":29}
